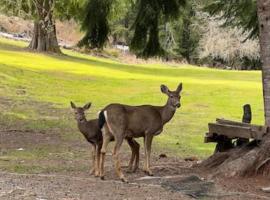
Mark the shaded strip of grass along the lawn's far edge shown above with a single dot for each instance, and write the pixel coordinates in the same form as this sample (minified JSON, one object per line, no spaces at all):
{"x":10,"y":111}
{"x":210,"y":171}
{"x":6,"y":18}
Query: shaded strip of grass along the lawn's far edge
{"x":134,"y":69}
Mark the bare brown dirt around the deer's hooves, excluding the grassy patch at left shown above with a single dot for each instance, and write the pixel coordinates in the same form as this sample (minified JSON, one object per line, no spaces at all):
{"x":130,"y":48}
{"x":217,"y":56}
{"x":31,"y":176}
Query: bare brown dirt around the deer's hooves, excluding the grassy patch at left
{"x":173,"y":177}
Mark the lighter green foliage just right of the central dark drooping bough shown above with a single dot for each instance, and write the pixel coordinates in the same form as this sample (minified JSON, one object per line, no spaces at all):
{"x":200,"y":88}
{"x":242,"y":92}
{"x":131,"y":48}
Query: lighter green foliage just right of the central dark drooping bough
{"x":180,"y":37}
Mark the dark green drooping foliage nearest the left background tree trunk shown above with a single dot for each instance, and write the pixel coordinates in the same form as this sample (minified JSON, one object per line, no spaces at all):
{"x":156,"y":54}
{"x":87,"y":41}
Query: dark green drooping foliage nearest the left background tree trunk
{"x":95,"y":23}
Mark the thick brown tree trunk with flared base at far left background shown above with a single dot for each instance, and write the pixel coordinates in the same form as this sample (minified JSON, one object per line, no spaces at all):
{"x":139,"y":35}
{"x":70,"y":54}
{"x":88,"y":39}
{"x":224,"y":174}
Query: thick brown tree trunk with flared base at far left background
{"x":44,"y":37}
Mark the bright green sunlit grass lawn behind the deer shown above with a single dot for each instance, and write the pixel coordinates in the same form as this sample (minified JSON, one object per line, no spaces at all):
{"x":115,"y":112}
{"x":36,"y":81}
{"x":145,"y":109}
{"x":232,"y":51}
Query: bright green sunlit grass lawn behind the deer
{"x":55,"y":80}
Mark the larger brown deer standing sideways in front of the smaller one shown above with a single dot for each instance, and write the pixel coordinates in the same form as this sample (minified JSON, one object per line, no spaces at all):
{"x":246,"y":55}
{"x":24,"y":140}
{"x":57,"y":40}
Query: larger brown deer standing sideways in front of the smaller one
{"x":120,"y":121}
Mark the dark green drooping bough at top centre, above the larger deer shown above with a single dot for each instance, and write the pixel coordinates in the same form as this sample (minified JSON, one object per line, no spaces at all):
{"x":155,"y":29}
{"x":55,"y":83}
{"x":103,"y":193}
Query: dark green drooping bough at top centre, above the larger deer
{"x":145,"y":42}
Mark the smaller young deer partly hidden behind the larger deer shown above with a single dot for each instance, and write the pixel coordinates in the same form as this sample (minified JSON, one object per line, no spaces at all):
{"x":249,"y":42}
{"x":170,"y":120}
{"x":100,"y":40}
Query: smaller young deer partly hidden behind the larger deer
{"x":92,"y":133}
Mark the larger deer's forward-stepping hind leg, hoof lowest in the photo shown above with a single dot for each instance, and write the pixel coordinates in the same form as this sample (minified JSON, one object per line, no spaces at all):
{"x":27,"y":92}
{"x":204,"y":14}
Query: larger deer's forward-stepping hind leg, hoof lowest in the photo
{"x":118,"y":143}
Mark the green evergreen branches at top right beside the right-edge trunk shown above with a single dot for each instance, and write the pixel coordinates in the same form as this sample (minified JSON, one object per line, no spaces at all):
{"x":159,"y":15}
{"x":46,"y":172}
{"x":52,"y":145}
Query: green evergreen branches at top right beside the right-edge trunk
{"x":237,"y":13}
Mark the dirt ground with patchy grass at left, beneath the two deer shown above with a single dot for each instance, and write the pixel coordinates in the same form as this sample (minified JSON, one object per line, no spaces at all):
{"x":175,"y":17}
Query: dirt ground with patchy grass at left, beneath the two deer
{"x":50,"y":165}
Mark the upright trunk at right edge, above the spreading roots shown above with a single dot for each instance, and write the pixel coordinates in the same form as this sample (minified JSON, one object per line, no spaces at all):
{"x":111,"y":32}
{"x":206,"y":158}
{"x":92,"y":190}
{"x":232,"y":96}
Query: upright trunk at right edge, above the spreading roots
{"x":264,"y":24}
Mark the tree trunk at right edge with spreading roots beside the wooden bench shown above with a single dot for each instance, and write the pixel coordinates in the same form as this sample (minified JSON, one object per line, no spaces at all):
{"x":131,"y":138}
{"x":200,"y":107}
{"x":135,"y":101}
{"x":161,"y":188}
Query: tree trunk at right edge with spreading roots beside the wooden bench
{"x":253,"y":158}
